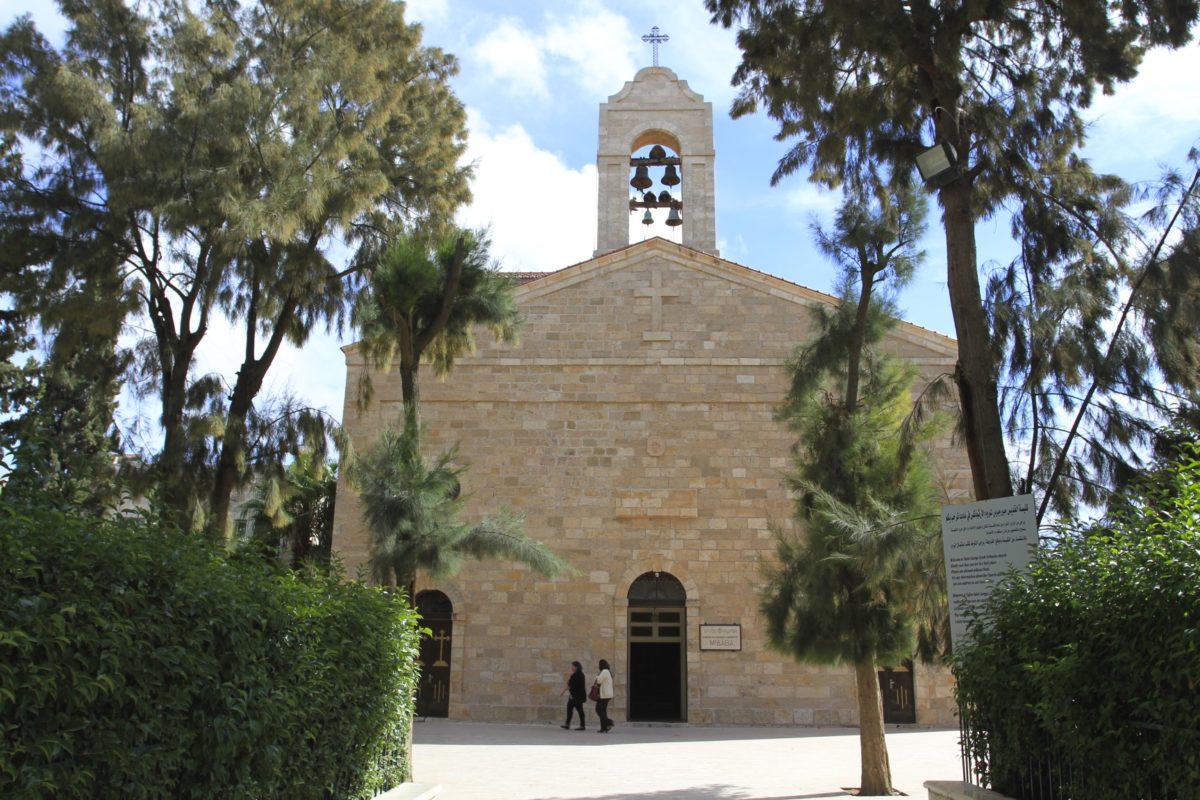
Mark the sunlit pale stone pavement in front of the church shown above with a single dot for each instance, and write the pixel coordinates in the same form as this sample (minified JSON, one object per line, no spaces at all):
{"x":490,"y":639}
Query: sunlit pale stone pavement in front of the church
{"x":476,"y":761}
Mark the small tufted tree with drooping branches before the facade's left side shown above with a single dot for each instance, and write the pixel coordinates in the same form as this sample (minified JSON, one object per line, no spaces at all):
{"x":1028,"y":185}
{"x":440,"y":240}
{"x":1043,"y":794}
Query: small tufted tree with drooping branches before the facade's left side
{"x":425,"y":303}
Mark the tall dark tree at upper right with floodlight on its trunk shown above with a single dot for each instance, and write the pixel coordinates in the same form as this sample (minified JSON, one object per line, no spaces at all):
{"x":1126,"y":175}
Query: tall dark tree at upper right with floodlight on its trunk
{"x":865,"y":87}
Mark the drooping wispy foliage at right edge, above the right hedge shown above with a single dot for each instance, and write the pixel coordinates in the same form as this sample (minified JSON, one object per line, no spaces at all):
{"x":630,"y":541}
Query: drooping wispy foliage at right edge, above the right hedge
{"x":1097,"y":322}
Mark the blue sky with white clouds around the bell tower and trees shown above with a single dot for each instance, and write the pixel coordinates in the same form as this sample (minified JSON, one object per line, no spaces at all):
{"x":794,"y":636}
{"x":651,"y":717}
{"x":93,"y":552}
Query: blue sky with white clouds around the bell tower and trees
{"x":533,"y":75}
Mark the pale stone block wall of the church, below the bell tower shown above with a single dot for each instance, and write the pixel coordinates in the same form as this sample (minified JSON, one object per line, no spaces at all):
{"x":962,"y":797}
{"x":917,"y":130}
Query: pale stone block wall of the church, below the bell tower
{"x":633,"y":428}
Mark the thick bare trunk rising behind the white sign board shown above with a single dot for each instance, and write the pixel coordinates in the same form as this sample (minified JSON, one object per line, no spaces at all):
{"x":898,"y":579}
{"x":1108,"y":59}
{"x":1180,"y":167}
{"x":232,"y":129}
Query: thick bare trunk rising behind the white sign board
{"x":976,"y":374}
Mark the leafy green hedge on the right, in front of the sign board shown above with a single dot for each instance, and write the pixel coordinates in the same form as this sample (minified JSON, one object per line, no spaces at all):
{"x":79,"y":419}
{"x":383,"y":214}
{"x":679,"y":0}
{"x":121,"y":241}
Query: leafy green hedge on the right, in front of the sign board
{"x":1093,"y":664}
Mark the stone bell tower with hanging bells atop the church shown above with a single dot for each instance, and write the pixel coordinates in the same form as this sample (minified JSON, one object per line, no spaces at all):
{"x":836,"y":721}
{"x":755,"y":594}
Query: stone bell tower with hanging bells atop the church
{"x":674,"y":178}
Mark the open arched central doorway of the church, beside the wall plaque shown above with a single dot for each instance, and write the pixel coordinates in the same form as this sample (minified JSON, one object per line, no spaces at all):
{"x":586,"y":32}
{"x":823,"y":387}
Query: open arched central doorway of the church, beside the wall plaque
{"x":658,"y":624}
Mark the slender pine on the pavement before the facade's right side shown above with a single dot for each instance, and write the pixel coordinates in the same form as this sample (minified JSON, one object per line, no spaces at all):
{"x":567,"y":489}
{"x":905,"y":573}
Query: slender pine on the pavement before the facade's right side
{"x":862,"y":578}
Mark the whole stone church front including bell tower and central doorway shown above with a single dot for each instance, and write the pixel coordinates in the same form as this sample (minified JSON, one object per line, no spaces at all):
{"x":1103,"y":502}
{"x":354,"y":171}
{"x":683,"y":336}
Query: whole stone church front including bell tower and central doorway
{"x":633,"y":428}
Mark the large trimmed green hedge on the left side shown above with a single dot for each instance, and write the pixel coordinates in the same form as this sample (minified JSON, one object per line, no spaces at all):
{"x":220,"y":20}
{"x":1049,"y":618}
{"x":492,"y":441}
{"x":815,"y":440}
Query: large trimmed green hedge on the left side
{"x":142,"y":664}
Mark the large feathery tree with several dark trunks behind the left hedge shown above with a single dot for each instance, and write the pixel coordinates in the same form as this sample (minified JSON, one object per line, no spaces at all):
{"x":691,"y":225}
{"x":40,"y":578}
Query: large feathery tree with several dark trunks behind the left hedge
{"x":237,"y":161}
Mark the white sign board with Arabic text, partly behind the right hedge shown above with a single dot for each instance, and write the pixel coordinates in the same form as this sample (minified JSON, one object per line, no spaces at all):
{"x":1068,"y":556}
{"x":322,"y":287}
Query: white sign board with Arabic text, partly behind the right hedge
{"x":982,"y":542}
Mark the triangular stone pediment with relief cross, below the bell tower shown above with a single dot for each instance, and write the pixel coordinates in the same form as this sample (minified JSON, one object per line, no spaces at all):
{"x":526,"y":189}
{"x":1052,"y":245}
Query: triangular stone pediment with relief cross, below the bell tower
{"x":662,"y":303}
